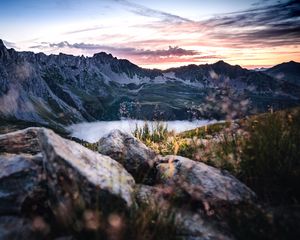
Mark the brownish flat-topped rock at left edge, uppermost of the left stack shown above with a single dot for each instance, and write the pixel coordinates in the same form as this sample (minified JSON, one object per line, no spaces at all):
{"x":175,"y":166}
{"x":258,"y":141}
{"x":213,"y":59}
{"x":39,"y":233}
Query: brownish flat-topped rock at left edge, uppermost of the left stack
{"x":23,"y":141}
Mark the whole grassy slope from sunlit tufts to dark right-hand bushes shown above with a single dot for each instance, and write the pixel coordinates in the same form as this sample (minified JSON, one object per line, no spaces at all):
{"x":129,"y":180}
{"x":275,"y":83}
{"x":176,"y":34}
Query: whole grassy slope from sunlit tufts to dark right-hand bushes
{"x":262,"y":151}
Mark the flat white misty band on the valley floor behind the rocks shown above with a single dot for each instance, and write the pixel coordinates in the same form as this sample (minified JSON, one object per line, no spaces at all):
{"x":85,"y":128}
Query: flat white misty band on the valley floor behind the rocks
{"x":93,"y":131}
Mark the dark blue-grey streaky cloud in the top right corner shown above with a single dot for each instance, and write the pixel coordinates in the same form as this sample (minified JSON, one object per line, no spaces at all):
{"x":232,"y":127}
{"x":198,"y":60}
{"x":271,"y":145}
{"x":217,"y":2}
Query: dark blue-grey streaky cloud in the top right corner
{"x":274,"y":25}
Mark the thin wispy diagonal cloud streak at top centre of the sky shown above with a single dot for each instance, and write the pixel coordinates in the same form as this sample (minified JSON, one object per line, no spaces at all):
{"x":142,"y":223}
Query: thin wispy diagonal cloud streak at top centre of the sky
{"x":149,"y":12}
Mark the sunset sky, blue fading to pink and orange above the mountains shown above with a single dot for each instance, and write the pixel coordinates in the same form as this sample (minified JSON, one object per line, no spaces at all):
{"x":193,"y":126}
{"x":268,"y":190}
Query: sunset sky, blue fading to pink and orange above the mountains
{"x":157,"y":33}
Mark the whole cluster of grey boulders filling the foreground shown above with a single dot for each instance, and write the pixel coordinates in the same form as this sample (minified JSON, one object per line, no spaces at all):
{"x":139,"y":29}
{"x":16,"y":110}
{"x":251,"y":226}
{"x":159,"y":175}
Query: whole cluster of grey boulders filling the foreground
{"x":54,"y":188}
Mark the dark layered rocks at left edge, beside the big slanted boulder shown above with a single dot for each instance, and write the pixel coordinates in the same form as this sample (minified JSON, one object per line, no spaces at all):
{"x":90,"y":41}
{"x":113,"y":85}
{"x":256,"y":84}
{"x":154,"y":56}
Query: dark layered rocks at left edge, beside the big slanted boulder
{"x":22,"y":185}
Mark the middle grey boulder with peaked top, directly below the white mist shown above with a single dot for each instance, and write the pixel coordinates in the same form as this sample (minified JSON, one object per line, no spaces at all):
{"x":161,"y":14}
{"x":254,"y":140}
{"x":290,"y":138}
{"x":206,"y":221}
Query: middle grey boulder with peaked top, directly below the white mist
{"x":135,"y":156}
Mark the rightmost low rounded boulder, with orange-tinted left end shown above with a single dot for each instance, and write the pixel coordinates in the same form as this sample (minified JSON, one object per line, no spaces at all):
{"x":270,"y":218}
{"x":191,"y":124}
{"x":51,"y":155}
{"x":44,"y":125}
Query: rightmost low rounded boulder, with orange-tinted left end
{"x":201,"y":182}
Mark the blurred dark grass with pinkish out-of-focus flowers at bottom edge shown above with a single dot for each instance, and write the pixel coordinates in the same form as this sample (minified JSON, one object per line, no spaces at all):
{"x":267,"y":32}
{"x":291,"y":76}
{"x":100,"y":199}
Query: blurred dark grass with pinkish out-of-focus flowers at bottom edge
{"x":146,"y":222}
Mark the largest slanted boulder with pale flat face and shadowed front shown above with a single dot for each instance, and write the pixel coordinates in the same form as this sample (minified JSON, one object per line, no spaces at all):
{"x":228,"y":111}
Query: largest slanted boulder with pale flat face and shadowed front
{"x":80,"y":179}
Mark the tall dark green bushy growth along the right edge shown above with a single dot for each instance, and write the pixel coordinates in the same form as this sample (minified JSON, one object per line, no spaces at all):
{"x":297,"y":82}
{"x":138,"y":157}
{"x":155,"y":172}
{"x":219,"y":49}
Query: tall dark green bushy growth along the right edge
{"x":270,"y":161}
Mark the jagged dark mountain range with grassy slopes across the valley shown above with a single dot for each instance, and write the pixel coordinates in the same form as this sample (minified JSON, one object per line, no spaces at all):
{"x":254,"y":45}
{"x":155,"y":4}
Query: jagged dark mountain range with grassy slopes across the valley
{"x":64,"y":89}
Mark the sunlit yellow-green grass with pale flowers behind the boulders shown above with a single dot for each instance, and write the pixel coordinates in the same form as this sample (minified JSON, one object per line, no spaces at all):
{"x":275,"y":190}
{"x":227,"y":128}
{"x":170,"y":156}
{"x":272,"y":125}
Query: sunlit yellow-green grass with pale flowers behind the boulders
{"x":206,"y":144}
